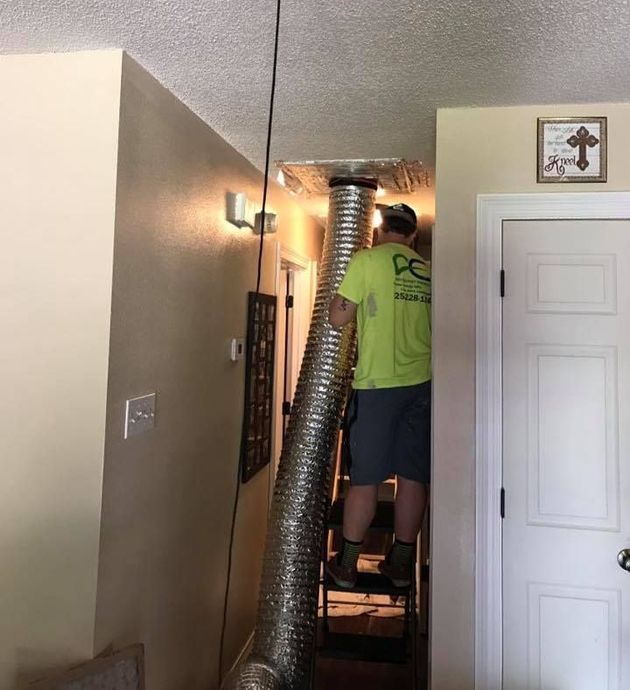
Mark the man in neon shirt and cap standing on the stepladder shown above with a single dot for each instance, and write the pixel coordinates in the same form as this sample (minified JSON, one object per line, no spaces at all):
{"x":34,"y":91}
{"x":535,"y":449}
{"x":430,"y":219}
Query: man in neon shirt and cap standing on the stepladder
{"x":387,"y":289}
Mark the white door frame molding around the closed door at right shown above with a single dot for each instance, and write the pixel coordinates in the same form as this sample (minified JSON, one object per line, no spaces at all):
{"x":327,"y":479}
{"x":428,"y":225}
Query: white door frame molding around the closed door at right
{"x":492,"y":211}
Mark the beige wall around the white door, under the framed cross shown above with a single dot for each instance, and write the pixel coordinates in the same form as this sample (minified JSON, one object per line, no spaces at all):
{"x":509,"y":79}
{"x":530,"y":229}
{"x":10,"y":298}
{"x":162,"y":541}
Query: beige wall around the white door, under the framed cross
{"x":485,"y":150}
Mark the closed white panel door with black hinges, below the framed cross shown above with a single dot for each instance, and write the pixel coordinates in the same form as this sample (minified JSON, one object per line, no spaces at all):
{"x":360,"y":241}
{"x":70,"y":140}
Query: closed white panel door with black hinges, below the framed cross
{"x":566,"y":455}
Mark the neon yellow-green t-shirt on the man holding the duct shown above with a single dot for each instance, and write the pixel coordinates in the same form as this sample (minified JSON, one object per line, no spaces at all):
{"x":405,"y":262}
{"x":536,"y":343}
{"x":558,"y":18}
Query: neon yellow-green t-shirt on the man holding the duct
{"x":391,"y":285}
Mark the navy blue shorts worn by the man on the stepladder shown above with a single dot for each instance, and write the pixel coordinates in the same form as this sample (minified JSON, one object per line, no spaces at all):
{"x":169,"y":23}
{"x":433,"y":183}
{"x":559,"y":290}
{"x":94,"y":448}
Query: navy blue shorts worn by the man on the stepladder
{"x":389,"y":433}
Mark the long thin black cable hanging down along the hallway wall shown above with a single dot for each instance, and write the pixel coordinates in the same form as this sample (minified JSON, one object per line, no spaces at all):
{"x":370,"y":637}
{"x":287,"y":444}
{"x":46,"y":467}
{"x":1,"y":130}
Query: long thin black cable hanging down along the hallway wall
{"x":258,"y":280}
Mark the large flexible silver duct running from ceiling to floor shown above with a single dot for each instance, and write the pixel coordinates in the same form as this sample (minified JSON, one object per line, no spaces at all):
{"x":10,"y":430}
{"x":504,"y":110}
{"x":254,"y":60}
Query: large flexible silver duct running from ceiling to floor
{"x":284,"y":640}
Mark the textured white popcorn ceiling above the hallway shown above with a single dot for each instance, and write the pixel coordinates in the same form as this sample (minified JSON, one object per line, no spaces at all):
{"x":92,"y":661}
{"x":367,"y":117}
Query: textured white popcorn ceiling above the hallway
{"x":357,"y":79}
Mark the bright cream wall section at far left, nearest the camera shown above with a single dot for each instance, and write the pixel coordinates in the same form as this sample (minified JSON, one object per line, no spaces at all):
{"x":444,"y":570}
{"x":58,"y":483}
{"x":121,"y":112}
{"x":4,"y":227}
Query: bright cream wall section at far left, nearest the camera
{"x":58,"y":134}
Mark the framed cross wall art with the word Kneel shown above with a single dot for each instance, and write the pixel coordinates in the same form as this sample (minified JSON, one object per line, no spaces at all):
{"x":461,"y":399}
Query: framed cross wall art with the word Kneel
{"x":572,"y":149}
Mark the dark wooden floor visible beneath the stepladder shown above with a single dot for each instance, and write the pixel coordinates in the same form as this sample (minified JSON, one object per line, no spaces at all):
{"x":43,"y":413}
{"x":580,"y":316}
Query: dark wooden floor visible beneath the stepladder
{"x":334,"y":674}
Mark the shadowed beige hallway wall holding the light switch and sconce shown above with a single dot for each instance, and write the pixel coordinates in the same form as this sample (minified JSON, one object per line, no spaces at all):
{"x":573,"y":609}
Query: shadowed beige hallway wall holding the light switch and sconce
{"x":181,"y":274}
